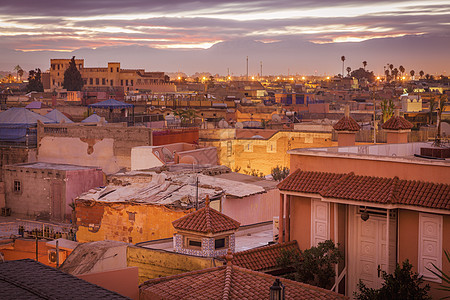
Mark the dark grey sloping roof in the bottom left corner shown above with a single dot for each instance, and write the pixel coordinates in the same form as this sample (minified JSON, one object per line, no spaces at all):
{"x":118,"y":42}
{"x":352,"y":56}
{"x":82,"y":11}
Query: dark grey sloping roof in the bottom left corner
{"x":28,"y":279}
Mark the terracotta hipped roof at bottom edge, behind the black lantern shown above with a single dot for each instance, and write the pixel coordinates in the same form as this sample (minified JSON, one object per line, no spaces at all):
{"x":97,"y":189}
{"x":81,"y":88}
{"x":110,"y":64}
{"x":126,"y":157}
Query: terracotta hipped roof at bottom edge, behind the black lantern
{"x":227,"y":282}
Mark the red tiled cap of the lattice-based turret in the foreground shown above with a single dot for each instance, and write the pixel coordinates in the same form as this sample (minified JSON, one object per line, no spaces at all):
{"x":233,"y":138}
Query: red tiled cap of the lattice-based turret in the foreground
{"x":206,"y":220}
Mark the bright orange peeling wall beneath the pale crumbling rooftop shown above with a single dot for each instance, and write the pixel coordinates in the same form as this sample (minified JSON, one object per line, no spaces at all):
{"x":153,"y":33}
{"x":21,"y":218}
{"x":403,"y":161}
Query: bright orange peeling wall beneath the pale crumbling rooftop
{"x":111,"y":221}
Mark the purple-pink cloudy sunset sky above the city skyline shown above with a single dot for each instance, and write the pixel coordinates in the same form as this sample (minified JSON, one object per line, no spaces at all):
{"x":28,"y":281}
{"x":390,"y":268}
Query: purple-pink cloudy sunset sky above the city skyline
{"x":304,"y":36}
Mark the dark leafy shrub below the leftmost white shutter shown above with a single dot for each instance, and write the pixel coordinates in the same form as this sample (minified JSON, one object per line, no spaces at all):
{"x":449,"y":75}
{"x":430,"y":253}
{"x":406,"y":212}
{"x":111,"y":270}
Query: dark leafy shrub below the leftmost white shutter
{"x":315,"y":266}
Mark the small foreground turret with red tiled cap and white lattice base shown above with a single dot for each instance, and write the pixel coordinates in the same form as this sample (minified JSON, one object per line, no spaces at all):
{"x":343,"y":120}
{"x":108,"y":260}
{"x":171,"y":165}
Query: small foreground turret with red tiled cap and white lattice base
{"x":205,"y":232}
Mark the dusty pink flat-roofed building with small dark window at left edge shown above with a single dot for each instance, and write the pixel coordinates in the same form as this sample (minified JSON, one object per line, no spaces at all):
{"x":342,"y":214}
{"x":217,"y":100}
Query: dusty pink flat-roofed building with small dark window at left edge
{"x":46,"y":190}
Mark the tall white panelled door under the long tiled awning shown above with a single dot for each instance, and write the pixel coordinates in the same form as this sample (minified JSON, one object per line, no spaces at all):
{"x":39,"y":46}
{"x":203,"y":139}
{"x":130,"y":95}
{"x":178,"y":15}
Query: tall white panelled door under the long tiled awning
{"x":371,"y":250}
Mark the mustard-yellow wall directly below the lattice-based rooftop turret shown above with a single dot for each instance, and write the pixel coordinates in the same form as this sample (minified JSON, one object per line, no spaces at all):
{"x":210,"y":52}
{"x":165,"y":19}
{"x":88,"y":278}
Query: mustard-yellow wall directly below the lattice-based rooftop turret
{"x":154,"y":263}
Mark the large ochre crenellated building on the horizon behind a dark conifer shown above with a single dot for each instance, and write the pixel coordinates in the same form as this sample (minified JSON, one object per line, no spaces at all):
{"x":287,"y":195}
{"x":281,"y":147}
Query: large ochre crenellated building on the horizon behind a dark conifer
{"x":111,"y":76}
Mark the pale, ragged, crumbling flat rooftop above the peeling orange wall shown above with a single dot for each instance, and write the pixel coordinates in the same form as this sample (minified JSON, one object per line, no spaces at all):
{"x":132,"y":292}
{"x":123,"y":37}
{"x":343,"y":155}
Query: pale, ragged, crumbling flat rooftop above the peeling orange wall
{"x":168,"y":188}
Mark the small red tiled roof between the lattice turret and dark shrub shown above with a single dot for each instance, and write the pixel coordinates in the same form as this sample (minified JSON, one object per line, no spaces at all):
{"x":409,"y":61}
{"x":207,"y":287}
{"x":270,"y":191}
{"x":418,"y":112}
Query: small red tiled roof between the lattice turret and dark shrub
{"x":263,"y":258}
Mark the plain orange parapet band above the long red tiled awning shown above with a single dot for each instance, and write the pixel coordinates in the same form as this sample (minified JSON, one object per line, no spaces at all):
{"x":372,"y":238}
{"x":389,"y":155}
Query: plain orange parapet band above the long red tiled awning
{"x":437,"y":174}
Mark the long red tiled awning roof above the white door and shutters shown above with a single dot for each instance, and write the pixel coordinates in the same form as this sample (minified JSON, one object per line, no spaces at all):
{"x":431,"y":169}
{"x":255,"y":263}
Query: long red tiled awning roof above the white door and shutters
{"x":369,"y":189}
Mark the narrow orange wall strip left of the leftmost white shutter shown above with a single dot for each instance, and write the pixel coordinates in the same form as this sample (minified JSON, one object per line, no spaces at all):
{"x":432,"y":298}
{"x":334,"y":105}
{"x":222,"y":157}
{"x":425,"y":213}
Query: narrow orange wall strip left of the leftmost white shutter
{"x":301,"y":221}
